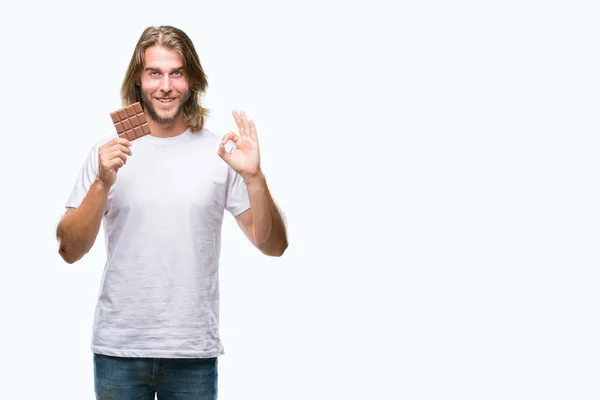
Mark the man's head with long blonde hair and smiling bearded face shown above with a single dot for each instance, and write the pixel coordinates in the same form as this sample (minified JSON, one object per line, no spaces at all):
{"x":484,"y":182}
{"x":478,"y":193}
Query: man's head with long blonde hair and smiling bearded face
{"x":166,"y":76}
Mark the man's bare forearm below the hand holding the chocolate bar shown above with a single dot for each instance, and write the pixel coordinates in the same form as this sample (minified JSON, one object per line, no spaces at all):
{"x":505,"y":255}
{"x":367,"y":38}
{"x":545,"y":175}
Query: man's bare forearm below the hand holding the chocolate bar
{"x":77,"y":231}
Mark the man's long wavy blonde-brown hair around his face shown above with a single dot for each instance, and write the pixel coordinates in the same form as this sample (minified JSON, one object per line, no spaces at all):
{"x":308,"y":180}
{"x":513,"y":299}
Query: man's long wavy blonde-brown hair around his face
{"x":175,"y":39}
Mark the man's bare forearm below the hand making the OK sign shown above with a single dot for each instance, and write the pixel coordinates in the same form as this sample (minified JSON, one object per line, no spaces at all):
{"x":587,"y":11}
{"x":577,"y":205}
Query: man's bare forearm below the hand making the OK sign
{"x":269,"y":229}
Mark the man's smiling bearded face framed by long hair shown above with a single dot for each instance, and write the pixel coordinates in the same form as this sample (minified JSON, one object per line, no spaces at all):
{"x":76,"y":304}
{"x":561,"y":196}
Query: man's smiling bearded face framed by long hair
{"x":164,"y":86}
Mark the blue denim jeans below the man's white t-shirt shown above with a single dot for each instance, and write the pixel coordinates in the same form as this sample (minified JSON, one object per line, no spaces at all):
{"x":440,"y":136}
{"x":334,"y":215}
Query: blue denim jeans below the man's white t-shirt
{"x":118,"y":378}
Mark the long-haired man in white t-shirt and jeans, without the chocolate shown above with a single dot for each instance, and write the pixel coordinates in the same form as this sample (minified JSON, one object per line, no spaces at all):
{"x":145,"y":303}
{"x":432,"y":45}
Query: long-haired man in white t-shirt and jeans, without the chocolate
{"x":162,"y":199}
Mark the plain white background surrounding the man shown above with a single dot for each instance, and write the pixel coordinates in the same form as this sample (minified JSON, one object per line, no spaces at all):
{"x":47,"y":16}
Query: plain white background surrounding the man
{"x":436,"y":161}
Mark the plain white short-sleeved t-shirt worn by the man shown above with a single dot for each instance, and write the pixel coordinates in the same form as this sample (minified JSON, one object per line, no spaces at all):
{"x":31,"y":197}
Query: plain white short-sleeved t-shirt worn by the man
{"x":159,"y":295}
